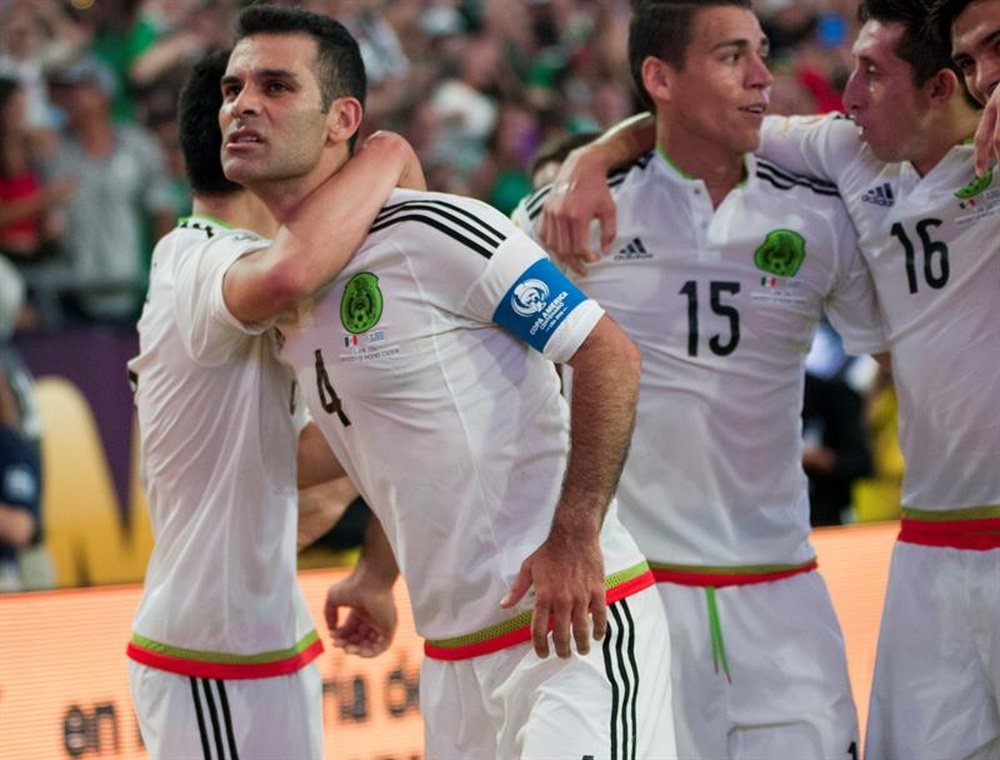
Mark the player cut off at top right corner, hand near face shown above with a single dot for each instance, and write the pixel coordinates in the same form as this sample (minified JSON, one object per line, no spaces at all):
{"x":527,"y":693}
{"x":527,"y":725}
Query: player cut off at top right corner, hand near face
{"x":973,"y":29}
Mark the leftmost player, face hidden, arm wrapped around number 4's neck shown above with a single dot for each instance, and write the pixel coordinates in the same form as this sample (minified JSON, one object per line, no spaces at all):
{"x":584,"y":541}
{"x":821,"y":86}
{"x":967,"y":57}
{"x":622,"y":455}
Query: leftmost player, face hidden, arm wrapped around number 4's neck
{"x":222,"y":645}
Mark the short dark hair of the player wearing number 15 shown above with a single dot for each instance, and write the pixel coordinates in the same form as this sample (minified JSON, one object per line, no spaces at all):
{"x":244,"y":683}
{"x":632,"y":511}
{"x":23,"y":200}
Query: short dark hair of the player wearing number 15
{"x":662,"y":29}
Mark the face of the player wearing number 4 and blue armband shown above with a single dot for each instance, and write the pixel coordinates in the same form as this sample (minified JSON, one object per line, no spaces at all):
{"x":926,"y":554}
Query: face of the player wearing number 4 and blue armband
{"x":273,"y":125}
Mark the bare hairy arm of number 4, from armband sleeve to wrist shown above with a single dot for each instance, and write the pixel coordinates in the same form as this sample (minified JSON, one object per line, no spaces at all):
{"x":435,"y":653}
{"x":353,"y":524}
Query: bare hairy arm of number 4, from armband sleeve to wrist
{"x":605,"y":385}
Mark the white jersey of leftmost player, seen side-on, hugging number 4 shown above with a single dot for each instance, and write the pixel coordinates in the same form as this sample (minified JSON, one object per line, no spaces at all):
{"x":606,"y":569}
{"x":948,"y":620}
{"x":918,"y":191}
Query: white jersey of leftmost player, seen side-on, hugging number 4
{"x":221,"y":598}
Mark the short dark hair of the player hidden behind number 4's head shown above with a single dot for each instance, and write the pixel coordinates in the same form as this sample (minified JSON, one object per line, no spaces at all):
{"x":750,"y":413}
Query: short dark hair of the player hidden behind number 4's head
{"x":198,"y":124}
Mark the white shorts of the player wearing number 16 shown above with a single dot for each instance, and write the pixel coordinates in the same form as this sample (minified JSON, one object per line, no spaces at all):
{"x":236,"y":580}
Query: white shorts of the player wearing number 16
{"x":937,"y":667}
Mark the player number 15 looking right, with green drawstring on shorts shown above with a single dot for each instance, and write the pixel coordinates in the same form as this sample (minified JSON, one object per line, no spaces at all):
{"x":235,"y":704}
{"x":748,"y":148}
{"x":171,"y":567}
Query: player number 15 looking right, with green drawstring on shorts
{"x":721,"y":269}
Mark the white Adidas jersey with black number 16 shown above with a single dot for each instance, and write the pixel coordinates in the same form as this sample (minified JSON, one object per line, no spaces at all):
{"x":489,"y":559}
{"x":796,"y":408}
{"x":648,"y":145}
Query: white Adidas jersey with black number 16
{"x":933,"y":245}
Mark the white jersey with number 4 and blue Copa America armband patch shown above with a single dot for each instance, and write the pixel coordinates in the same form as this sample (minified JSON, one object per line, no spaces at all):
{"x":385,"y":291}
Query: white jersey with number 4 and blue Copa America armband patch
{"x":453,"y":429}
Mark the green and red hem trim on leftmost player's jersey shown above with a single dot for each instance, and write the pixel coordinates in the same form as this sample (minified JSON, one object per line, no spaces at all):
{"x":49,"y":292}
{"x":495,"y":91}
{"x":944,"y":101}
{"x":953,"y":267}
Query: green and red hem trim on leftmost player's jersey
{"x":192,"y":662}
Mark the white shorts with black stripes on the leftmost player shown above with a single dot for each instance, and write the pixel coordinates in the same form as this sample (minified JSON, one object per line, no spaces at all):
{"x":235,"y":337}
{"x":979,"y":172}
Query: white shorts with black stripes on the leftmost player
{"x":266,"y":718}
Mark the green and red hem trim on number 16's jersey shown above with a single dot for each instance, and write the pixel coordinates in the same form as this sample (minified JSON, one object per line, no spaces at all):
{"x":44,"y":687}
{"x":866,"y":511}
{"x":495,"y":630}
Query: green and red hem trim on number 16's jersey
{"x":974,"y":528}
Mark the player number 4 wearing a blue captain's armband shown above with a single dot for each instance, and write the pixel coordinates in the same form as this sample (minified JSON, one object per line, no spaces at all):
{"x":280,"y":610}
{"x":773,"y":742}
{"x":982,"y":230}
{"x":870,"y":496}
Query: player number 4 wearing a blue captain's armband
{"x":423,"y":364}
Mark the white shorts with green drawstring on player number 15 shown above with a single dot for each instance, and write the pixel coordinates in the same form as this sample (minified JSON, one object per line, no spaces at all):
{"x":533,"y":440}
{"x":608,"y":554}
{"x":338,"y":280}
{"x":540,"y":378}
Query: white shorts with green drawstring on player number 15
{"x":770,"y":682}
